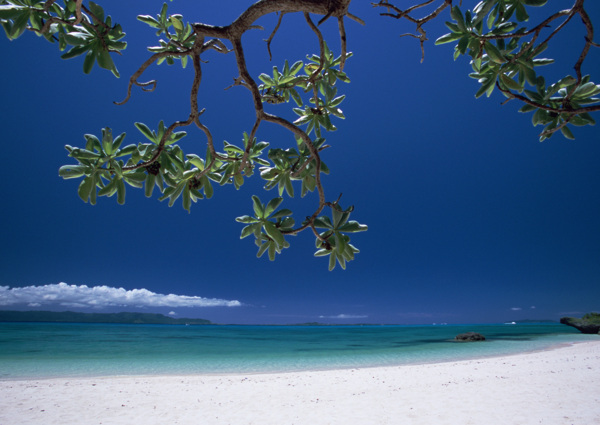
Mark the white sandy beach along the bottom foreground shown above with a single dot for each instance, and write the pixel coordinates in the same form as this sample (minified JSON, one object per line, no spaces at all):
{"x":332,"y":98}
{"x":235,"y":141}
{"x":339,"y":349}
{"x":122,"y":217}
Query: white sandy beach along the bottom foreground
{"x":560,"y":386}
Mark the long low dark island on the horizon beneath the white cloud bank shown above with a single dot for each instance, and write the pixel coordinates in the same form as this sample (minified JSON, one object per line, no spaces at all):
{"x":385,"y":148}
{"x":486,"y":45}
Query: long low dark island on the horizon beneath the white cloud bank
{"x":74,"y":317}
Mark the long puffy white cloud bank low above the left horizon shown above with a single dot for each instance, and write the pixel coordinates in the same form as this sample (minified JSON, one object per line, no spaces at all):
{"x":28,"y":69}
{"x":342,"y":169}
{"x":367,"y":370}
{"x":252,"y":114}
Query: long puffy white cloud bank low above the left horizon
{"x":101,"y":296}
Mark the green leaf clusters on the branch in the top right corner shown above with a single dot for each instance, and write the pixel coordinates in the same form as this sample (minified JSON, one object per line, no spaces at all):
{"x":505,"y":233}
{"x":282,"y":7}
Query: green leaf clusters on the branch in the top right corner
{"x":505,"y":56}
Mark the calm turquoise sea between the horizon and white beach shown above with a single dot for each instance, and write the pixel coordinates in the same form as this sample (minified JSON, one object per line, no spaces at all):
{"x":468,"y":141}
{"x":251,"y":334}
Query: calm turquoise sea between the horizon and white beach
{"x":43,"y":350}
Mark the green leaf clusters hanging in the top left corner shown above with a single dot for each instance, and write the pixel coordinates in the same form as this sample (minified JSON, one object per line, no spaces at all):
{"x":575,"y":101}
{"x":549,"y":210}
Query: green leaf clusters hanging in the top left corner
{"x":93,"y":35}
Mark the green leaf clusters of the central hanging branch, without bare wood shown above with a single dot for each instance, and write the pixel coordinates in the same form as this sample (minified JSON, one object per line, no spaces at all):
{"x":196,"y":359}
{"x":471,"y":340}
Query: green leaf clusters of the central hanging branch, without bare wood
{"x":163,"y":166}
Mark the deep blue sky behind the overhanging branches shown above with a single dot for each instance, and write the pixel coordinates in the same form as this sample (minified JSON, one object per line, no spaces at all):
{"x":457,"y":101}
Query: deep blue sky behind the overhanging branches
{"x":470,"y":218}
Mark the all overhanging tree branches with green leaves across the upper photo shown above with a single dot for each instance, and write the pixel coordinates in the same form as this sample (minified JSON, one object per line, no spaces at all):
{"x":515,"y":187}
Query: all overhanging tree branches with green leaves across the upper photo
{"x":505,"y":55}
